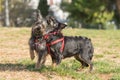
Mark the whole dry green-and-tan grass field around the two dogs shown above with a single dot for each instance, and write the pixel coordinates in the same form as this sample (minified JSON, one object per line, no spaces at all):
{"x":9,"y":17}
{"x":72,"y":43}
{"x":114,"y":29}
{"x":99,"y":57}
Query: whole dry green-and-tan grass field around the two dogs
{"x":15,"y":60}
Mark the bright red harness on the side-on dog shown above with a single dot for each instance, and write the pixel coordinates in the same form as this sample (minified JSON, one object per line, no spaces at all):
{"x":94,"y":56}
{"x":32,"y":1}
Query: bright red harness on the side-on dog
{"x":54,"y":42}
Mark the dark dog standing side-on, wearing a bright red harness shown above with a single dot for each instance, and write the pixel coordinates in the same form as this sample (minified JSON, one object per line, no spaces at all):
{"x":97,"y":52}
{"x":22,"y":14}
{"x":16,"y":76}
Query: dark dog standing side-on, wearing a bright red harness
{"x":67,"y":46}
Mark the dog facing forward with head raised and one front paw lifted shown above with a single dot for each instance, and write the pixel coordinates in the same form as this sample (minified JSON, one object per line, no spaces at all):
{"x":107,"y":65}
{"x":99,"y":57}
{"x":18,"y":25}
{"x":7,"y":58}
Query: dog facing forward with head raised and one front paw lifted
{"x":36,"y":43}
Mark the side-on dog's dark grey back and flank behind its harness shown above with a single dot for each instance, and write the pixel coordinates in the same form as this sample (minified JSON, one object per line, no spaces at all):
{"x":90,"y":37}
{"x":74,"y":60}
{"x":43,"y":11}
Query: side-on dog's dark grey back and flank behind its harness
{"x":74,"y":45}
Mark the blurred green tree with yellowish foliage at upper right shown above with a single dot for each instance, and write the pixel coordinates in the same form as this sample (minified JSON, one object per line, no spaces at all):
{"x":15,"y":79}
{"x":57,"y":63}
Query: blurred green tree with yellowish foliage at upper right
{"x":89,"y":12}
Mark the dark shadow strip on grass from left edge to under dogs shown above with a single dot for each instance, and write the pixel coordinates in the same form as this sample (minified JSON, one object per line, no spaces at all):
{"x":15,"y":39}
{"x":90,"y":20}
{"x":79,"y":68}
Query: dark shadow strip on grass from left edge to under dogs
{"x":23,"y":67}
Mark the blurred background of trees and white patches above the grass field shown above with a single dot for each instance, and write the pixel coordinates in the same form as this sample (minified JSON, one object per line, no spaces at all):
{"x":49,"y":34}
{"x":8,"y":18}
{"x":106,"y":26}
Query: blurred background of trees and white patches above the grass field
{"x":95,"y":14}
